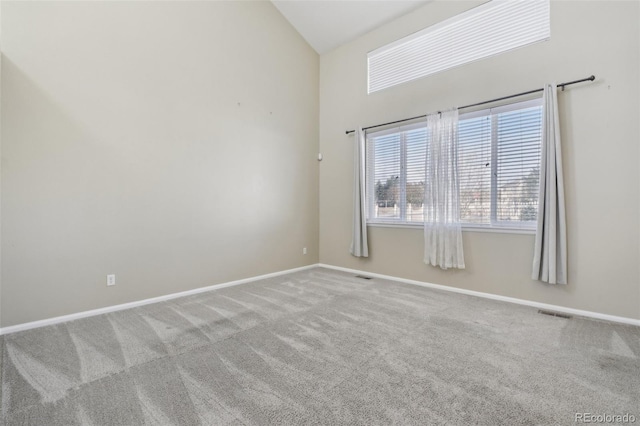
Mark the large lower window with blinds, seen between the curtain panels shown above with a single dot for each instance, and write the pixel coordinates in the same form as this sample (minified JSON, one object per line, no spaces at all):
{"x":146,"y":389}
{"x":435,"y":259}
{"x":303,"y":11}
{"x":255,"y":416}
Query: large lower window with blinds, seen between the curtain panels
{"x":498,"y":160}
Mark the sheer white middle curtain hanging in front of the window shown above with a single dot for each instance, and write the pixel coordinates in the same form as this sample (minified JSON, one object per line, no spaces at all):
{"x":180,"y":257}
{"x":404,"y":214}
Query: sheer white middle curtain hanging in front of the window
{"x":442,"y":228}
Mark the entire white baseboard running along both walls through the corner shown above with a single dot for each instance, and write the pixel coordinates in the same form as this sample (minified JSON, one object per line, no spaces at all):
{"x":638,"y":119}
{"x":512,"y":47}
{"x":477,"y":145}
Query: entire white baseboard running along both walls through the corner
{"x":105,"y":310}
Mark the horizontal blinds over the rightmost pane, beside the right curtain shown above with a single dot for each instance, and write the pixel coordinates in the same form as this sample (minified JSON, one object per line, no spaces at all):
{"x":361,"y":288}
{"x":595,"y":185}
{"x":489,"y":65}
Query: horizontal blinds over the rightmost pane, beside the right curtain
{"x":518,"y":167}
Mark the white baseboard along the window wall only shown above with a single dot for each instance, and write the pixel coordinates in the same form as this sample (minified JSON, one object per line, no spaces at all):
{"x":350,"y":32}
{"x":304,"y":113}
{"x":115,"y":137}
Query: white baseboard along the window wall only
{"x":578,"y":312}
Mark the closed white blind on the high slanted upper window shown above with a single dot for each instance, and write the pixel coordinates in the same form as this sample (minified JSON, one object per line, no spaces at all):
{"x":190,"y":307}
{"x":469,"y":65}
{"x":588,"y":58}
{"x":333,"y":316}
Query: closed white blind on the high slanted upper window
{"x":487,"y":30}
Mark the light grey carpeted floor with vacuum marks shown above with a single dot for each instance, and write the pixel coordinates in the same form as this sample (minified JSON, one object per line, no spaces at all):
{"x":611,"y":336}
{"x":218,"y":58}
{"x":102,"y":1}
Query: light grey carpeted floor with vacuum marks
{"x":321,"y":347}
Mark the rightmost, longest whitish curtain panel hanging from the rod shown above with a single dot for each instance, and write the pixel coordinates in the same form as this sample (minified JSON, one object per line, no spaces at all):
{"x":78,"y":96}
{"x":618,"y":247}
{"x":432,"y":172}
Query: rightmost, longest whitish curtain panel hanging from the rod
{"x":550,"y":254}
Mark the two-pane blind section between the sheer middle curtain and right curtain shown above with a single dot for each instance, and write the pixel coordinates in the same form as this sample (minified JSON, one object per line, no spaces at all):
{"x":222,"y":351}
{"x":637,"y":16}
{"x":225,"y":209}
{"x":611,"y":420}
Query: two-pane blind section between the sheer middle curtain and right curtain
{"x":499,"y":163}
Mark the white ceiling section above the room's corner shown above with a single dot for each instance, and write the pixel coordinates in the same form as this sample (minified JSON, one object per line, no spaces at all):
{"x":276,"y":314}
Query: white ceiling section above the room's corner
{"x":327,"y":24}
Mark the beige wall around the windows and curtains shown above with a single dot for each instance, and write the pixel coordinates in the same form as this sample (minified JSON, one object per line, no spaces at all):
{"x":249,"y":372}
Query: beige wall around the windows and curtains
{"x":600,"y":146}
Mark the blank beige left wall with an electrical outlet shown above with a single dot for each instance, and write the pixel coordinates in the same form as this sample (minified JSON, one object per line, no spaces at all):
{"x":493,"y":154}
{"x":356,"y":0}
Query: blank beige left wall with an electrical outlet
{"x":170,"y":143}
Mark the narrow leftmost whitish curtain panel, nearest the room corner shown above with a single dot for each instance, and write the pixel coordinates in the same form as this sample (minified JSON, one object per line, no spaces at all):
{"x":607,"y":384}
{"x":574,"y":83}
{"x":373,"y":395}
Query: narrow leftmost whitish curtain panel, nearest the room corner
{"x":359,"y":244}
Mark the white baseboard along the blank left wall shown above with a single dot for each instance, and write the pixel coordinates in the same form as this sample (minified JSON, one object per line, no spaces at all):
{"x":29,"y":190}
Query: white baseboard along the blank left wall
{"x":105,"y":310}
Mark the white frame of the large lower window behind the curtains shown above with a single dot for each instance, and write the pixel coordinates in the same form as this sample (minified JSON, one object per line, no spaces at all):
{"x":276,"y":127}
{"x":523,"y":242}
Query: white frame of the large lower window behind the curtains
{"x":494,"y":225}
